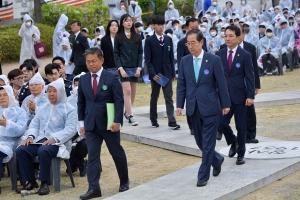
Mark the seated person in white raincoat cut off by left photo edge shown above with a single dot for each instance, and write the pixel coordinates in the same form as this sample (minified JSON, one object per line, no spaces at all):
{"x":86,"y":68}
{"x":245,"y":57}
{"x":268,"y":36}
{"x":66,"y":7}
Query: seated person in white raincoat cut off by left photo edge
{"x":12,"y":123}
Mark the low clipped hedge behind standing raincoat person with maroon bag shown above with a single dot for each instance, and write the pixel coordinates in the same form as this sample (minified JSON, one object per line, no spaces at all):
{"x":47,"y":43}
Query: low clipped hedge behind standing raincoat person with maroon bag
{"x":10,"y":41}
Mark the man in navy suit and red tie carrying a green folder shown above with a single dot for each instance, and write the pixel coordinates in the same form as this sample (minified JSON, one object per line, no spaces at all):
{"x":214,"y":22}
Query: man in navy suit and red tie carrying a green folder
{"x":95,"y":90}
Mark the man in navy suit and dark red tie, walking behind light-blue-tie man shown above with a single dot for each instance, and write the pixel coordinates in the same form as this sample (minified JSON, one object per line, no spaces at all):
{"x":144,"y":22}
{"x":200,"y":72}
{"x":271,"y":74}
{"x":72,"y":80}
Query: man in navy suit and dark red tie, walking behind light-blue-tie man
{"x":239,"y":73}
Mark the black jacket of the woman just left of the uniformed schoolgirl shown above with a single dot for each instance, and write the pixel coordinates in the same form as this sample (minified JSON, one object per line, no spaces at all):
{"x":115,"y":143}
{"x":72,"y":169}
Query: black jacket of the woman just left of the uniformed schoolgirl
{"x":108,"y":52}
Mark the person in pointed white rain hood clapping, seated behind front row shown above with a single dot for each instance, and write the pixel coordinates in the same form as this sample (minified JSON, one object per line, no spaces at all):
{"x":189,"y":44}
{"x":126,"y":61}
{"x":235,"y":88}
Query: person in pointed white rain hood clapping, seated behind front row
{"x":37,"y":99}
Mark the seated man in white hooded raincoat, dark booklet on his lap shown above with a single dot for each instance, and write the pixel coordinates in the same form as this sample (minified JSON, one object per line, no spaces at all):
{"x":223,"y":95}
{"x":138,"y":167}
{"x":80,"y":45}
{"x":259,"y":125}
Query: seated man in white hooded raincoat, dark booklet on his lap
{"x":48,"y":137}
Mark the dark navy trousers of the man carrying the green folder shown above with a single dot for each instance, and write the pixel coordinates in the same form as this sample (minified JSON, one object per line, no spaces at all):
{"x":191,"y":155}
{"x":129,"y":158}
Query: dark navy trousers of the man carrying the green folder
{"x":94,"y":141}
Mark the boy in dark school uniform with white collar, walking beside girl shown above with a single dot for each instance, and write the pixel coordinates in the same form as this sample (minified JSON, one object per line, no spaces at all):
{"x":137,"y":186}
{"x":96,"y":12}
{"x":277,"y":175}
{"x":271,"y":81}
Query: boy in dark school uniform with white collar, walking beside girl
{"x":159,"y":58}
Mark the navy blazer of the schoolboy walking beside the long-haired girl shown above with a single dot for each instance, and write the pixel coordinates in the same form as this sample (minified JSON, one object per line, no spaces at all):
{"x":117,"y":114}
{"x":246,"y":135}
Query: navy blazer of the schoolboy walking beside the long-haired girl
{"x":158,"y":59}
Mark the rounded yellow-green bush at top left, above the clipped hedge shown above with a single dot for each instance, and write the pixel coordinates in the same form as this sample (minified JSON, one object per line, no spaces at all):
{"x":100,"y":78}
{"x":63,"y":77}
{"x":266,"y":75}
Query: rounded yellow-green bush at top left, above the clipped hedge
{"x":90,"y":15}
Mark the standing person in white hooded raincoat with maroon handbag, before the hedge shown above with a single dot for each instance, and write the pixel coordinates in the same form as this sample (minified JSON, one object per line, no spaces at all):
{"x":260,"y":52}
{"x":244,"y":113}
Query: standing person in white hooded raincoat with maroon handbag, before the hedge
{"x":30,"y":34}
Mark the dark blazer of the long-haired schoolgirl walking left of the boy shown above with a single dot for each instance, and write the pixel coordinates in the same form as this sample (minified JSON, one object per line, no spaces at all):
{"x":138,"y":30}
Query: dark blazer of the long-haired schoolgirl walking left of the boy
{"x":130,"y":54}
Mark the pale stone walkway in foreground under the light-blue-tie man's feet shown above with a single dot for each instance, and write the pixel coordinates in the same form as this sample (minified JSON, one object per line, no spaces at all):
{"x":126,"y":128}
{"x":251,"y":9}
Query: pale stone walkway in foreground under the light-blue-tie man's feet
{"x":233,"y":182}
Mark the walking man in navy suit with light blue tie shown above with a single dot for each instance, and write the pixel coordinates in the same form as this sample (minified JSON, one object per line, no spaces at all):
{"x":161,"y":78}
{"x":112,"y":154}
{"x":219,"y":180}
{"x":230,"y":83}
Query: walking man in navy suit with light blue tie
{"x":201,"y":82}
